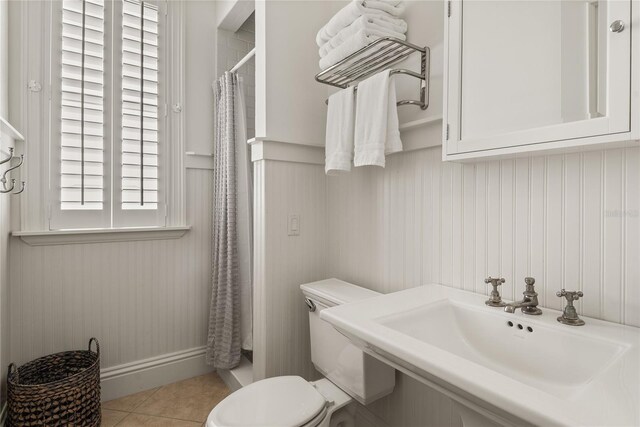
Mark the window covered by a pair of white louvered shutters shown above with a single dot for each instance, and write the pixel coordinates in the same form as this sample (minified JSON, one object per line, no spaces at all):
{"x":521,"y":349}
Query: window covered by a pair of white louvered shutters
{"x":108,"y":146}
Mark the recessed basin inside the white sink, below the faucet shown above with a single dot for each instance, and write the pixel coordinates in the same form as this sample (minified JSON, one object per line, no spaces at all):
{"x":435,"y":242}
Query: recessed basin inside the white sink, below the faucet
{"x":511,"y":346}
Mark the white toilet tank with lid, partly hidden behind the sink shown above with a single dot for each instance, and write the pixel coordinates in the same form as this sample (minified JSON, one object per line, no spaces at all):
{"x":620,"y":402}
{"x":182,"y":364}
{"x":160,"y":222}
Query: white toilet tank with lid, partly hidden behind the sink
{"x":361,"y":376}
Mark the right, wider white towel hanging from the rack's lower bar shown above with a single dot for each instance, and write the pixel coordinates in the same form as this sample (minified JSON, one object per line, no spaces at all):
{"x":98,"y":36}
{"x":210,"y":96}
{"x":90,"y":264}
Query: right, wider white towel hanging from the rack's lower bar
{"x":376,"y":129}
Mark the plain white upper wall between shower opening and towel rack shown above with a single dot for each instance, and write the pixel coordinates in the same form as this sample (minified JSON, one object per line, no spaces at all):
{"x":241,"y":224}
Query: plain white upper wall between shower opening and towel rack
{"x":286,"y":62}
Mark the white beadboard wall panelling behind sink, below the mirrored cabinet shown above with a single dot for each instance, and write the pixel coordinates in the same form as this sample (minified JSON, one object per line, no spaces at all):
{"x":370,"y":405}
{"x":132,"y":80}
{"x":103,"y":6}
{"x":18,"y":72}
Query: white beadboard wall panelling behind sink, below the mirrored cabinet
{"x":571,"y":221}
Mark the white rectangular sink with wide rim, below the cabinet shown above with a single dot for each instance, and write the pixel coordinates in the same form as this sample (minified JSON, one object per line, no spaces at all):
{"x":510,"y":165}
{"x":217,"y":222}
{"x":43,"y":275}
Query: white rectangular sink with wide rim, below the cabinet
{"x":523,"y":368}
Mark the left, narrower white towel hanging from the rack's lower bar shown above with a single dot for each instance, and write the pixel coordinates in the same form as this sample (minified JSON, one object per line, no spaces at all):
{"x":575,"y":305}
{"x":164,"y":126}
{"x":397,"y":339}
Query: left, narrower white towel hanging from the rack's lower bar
{"x":339,"y":135}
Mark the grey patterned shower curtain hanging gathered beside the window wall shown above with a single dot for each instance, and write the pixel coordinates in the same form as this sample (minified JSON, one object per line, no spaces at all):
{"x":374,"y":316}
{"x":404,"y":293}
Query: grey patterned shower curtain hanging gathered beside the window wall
{"x":224,"y":338}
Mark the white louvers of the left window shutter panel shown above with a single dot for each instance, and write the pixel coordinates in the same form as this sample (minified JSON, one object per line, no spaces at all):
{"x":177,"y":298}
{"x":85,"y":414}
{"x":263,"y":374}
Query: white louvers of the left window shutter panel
{"x":82,"y":105}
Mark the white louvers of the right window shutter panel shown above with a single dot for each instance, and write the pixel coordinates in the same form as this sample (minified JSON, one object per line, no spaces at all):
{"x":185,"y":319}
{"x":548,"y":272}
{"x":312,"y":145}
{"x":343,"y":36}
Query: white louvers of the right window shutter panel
{"x":139,"y":105}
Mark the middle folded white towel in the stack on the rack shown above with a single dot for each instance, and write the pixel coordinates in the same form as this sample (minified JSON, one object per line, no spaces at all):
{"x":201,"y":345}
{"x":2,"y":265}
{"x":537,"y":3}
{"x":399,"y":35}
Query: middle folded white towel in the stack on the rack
{"x":372,"y":26}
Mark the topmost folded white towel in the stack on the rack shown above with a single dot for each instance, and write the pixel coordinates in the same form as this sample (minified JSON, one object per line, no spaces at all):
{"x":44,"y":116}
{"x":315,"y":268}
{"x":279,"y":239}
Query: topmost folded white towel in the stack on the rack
{"x":353,"y":11}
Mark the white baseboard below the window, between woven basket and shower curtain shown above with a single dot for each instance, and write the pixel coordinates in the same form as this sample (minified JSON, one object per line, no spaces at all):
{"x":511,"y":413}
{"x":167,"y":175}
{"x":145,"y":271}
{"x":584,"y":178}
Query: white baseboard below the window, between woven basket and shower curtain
{"x":129,"y":378}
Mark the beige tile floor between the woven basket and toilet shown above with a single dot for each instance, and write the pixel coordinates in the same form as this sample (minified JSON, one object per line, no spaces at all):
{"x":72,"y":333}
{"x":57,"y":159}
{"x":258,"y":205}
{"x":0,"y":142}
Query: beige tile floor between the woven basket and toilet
{"x":183,"y":404}
